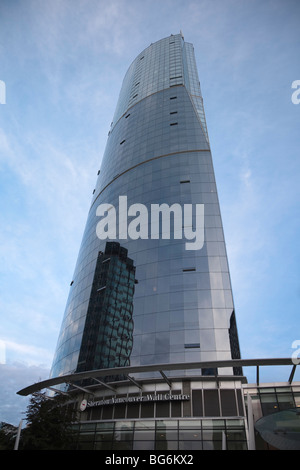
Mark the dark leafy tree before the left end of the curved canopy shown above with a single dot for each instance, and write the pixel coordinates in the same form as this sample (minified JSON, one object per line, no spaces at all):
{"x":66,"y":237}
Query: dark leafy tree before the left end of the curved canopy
{"x":49,"y":424}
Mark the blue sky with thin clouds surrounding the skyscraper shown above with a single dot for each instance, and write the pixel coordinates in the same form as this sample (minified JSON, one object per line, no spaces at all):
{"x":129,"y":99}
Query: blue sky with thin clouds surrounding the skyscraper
{"x":62,"y":63}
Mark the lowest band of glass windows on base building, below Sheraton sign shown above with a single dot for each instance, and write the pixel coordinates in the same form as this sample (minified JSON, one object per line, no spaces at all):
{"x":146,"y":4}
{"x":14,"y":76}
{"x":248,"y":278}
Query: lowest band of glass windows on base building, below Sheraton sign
{"x":206,"y":434}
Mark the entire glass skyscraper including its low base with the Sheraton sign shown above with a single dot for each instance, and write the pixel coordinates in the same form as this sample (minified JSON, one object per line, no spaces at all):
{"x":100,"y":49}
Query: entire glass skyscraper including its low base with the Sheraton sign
{"x":148,"y":352}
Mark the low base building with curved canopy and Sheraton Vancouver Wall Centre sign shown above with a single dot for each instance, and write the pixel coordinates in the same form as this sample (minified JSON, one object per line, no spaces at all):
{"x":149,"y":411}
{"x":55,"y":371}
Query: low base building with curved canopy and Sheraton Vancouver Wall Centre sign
{"x":172,"y":412}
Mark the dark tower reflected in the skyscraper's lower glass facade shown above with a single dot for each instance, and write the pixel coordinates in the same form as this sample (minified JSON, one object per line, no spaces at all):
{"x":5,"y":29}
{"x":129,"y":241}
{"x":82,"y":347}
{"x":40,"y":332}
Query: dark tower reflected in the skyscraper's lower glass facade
{"x":107,"y":337}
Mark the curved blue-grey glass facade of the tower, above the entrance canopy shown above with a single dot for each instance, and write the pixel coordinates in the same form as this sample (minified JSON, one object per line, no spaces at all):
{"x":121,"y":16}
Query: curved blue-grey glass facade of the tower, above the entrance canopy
{"x":166,"y":296}
